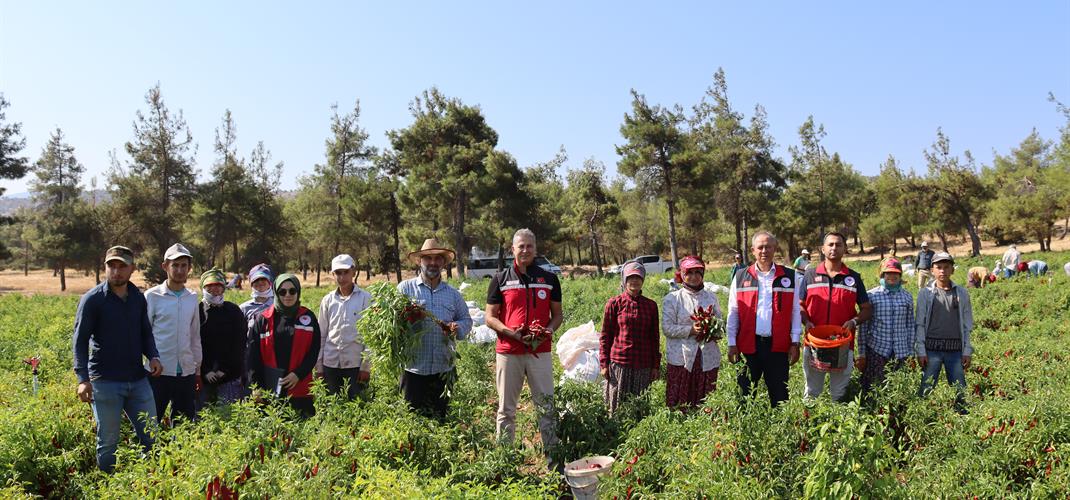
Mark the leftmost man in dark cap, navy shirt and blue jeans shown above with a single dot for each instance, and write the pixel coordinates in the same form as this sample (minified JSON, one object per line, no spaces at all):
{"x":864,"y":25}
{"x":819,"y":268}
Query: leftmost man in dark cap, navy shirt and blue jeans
{"x":112,"y":336}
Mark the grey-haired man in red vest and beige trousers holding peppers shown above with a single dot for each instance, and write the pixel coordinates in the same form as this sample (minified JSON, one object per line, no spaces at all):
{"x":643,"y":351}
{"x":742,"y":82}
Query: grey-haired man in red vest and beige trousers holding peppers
{"x":524,"y":307}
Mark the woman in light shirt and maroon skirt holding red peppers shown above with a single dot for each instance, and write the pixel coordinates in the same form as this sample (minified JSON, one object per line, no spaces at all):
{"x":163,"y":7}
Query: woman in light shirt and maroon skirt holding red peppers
{"x":693,"y":368}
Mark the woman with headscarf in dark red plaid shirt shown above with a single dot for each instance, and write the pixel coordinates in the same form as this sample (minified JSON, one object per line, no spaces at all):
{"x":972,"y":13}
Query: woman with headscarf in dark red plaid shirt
{"x":630,"y":347}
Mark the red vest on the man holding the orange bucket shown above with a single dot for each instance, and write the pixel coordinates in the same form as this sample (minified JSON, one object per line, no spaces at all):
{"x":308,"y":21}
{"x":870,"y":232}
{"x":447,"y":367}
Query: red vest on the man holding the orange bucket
{"x":832,"y":299}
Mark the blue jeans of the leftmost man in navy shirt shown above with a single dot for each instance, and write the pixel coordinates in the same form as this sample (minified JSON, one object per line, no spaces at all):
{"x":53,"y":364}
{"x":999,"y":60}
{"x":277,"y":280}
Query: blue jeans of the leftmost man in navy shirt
{"x":111,"y":400}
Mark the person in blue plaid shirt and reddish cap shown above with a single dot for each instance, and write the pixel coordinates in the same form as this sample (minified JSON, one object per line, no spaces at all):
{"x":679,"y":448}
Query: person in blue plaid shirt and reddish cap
{"x":885,"y":341}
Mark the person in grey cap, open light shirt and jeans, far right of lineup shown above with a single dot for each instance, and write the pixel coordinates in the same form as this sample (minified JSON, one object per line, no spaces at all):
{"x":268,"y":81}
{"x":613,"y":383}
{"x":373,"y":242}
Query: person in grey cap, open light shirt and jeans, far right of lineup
{"x":945,"y":320}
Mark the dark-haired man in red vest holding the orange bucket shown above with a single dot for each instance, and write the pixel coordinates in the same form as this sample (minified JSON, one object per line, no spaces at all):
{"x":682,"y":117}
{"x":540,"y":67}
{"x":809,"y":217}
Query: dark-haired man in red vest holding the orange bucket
{"x":832,"y":294}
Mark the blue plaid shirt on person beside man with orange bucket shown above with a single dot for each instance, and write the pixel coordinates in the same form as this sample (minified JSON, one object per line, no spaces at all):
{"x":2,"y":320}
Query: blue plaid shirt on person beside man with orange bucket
{"x":891,"y":331}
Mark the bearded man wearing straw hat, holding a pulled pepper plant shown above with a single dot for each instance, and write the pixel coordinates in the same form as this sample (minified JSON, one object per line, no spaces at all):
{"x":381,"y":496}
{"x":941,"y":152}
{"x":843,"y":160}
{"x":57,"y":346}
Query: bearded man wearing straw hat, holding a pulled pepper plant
{"x":426,"y":382}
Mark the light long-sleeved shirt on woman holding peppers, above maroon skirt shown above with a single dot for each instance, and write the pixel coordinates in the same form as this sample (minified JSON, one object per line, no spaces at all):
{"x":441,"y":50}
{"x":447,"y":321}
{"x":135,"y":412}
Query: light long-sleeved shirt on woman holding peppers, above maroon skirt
{"x":681,"y":347}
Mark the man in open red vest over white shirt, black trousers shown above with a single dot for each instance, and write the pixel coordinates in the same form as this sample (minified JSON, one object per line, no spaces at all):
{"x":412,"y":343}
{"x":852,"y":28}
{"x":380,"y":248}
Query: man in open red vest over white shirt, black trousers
{"x":765,"y":324}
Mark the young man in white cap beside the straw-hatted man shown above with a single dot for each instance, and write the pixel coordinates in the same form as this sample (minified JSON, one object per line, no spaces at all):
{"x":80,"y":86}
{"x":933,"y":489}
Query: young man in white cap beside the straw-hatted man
{"x":343,"y":356}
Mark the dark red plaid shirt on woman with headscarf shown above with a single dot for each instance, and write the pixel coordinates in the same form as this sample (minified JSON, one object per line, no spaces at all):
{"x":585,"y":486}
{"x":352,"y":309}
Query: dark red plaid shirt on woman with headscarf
{"x":630,"y":336}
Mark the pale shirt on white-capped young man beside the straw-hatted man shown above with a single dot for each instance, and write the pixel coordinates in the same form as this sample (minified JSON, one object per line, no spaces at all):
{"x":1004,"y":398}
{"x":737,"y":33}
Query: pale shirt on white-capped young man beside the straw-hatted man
{"x":341,"y":344}
